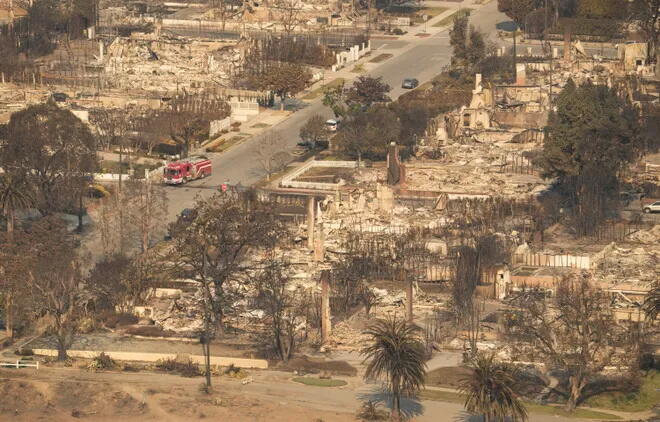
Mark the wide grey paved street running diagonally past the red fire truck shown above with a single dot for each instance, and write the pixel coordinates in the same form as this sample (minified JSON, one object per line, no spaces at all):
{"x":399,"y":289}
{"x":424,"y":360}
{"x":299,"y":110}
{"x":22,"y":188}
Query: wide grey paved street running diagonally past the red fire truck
{"x":423,"y":61}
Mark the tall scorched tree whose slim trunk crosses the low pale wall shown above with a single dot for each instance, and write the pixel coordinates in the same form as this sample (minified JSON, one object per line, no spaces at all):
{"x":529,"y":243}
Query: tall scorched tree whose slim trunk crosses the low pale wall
{"x":214,"y":251}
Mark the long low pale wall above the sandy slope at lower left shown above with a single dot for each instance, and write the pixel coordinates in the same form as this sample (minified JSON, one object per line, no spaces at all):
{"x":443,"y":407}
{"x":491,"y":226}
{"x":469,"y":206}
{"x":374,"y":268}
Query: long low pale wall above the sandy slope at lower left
{"x":154,"y":357}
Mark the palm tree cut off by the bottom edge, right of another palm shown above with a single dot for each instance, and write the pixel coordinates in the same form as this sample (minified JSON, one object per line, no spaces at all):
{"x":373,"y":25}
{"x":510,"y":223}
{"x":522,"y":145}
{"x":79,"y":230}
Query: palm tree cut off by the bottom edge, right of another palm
{"x":490,"y":391}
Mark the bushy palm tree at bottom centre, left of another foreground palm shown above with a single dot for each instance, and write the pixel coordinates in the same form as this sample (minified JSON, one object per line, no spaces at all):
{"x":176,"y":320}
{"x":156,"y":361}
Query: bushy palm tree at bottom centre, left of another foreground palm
{"x":396,"y":353}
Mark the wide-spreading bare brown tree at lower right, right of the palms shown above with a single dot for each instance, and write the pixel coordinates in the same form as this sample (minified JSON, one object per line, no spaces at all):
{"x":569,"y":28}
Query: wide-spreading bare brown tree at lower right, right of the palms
{"x":575,"y":332}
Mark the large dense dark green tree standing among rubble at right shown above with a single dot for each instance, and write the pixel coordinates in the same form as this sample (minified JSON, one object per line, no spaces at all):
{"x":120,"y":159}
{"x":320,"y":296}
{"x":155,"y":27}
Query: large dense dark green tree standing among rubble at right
{"x":591,"y":137}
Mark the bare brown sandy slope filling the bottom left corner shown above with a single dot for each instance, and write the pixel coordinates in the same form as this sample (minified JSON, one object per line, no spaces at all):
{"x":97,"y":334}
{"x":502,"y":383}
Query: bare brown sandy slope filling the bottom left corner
{"x":65,"y":394}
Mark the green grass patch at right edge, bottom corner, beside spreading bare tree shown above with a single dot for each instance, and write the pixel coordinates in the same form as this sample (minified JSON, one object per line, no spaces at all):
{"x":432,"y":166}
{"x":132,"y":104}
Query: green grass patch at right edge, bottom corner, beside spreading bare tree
{"x":637,"y":401}
